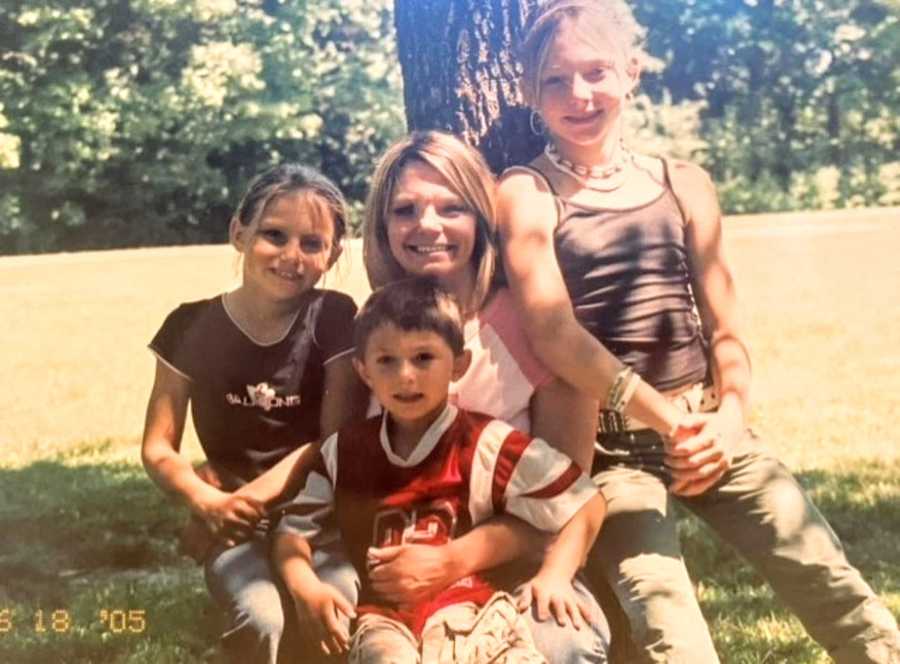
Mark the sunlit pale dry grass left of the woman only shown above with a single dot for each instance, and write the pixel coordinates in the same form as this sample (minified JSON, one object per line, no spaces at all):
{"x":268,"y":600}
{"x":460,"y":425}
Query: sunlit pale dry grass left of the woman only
{"x":75,"y":334}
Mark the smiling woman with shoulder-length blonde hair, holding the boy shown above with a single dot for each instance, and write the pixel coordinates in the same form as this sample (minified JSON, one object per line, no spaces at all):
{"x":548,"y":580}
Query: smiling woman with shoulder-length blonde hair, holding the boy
{"x":430,"y":212}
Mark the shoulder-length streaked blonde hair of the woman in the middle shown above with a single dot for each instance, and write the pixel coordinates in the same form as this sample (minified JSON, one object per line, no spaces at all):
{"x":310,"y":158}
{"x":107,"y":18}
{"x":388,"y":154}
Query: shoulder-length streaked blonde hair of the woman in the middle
{"x":468,"y":176}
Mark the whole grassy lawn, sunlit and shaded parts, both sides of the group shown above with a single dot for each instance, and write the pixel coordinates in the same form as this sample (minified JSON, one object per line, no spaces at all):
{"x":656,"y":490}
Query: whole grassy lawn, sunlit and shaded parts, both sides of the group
{"x":87,"y":559}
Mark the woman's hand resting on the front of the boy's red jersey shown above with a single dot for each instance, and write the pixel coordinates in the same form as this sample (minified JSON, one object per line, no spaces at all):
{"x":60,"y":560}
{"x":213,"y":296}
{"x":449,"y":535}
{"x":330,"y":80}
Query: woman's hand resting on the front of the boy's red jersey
{"x":409,"y":573}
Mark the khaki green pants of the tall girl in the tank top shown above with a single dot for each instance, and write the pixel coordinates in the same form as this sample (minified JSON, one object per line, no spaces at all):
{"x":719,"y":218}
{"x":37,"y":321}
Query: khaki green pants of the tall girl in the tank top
{"x":759,"y":508}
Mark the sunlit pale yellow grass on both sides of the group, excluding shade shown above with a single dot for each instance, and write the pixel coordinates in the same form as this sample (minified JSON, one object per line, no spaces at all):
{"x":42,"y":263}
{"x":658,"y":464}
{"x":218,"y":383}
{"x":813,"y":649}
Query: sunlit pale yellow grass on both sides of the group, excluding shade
{"x":820,"y":295}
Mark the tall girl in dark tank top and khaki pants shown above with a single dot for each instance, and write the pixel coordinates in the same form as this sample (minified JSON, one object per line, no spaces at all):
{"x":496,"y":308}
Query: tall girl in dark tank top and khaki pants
{"x":609,"y":254}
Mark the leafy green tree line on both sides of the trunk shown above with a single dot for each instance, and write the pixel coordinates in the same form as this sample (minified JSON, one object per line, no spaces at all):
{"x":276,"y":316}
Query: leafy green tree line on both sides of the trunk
{"x":138,"y":122}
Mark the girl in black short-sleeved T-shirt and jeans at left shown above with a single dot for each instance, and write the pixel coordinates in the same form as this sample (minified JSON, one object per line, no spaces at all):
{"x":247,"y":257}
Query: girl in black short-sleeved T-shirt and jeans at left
{"x":265,"y":368}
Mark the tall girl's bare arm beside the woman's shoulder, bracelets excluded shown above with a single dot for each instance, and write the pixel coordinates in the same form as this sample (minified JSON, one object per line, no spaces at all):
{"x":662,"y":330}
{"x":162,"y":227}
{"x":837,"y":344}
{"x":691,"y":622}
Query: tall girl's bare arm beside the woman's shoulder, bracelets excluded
{"x":528,"y":216}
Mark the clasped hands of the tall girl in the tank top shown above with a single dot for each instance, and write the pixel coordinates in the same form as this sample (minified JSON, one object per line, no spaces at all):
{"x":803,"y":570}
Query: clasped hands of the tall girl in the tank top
{"x":701,"y":450}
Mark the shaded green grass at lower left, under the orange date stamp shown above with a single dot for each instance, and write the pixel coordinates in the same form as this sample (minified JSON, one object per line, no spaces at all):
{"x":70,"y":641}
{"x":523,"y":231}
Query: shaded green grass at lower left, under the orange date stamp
{"x":83,"y":536}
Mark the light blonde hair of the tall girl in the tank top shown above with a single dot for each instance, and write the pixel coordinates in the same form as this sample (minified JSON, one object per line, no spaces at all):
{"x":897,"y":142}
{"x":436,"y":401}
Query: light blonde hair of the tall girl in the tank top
{"x":592,"y":20}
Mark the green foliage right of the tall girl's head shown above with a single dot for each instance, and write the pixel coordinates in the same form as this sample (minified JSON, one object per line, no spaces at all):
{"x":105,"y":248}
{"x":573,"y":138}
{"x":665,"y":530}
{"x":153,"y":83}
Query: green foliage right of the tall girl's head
{"x":800,"y":96}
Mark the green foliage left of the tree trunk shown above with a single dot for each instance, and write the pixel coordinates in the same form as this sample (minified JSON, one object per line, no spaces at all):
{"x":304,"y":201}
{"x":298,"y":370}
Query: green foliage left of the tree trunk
{"x":132,"y":122}
